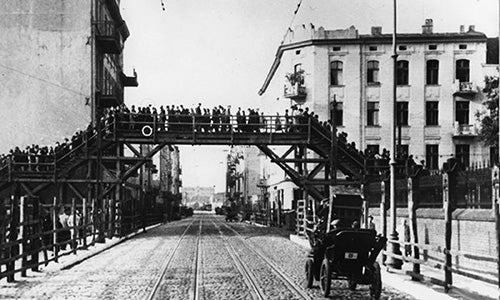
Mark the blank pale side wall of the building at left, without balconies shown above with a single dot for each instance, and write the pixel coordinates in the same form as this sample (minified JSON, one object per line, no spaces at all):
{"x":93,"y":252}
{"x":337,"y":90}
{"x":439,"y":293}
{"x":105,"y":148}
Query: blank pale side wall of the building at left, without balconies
{"x":45,"y":71}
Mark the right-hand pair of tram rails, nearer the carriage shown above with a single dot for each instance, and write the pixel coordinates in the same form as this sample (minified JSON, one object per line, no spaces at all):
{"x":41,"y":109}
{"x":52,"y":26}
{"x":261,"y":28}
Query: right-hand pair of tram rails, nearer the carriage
{"x":250,"y":277}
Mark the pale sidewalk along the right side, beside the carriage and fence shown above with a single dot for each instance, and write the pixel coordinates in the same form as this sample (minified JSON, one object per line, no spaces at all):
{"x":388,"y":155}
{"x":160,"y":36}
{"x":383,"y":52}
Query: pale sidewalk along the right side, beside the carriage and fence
{"x":463,"y":287}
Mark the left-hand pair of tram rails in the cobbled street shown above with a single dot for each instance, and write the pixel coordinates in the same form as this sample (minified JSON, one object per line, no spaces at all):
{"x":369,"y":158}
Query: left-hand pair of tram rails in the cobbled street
{"x":155,"y":292}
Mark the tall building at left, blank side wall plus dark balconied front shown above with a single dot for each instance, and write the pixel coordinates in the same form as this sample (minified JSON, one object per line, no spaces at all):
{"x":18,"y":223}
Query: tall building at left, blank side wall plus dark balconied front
{"x":61,"y":61}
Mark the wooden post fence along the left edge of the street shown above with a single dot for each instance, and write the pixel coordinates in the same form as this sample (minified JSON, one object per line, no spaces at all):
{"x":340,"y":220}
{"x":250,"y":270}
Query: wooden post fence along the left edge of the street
{"x":33,"y":233}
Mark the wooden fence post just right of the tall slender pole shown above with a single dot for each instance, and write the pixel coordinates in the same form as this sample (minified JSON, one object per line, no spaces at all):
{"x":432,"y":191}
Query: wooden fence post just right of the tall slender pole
{"x":413,"y":185}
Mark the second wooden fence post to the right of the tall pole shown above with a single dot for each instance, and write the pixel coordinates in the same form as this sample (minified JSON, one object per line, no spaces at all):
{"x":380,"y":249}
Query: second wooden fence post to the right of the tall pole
{"x":447,"y":220}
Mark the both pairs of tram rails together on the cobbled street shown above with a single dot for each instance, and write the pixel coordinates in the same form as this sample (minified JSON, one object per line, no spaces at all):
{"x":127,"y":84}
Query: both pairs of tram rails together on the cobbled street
{"x":259,"y":278}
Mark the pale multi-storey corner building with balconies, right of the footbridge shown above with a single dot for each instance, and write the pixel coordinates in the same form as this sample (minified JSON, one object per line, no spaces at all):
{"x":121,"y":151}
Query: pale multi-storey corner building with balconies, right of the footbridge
{"x":439,"y":78}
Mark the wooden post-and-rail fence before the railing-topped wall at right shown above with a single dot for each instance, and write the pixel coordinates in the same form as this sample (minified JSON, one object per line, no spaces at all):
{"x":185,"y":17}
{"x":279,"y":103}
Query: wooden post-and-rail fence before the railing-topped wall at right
{"x":454,"y":189}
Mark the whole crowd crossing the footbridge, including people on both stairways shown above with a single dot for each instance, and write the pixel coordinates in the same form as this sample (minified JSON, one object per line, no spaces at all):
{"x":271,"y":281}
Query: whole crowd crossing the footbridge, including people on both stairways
{"x":179,"y":118}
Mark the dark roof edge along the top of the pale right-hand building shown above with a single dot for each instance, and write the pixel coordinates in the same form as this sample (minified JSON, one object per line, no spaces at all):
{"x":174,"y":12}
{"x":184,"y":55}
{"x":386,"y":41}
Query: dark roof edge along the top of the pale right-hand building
{"x":470,"y":36}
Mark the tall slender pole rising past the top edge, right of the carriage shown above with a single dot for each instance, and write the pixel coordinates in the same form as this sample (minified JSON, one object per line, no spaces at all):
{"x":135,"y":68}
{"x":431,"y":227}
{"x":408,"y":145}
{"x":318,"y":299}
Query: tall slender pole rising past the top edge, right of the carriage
{"x":393,"y":247}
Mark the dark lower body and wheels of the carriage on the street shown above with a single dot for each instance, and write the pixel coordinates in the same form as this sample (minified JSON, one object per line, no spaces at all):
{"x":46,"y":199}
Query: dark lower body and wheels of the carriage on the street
{"x":345,"y":254}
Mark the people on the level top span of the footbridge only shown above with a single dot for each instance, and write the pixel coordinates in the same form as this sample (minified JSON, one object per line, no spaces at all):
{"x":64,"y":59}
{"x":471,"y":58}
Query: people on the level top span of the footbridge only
{"x":201,"y":119}
